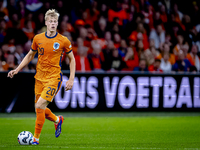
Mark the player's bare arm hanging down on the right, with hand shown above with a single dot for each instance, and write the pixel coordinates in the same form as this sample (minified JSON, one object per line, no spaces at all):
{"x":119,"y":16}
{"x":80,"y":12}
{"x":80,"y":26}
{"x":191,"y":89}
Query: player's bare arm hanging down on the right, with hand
{"x":72,"y":65}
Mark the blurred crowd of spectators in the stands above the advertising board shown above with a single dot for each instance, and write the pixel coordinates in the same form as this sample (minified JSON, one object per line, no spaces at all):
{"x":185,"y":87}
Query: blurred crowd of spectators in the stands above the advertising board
{"x":107,"y":35}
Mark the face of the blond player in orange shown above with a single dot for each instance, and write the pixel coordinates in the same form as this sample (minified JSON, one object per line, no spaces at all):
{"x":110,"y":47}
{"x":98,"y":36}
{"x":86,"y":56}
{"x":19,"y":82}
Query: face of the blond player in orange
{"x":51,"y":23}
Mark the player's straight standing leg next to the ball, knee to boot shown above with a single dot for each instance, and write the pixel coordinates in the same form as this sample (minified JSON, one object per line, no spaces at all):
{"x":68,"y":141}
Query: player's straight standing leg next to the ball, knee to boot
{"x":40,"y":107}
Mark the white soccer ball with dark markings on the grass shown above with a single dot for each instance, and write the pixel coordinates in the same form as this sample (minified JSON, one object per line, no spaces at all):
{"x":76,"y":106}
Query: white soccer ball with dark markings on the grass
{"x":25,"y":138}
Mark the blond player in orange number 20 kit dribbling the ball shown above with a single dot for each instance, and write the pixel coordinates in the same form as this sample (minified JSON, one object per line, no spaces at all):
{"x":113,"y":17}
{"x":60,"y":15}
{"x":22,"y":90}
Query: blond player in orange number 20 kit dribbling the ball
{"x":50,"y":46}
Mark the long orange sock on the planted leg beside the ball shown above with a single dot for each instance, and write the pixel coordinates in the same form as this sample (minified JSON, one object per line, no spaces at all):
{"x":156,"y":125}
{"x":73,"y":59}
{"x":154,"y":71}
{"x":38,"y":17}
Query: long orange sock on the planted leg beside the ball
{"x":40,"y":114}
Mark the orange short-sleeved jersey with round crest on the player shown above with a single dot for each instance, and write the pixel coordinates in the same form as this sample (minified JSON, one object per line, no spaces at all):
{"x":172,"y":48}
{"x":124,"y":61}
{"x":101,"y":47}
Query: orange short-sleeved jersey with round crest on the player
{"x":50,"y":51}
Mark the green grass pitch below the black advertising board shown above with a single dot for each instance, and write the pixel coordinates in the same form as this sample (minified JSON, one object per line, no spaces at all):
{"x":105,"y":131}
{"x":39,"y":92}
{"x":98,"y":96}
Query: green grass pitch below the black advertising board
{"x":106,"y":131}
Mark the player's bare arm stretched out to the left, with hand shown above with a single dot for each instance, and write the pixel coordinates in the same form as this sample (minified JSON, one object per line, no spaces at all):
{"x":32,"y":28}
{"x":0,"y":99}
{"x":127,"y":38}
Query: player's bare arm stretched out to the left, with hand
{"x":24,"y":62}
